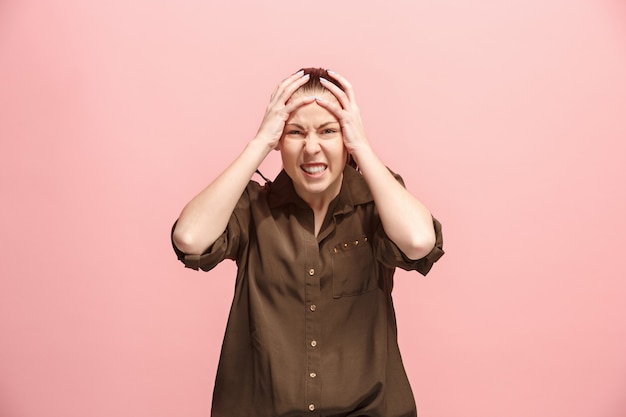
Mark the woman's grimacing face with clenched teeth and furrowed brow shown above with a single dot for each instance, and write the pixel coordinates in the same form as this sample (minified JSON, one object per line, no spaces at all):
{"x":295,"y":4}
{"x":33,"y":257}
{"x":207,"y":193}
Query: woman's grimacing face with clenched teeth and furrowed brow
{"x":313,"y":152}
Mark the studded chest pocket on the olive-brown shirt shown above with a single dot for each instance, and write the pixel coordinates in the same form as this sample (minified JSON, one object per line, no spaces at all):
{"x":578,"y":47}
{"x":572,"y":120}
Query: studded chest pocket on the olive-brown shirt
{"x":353,"y":268}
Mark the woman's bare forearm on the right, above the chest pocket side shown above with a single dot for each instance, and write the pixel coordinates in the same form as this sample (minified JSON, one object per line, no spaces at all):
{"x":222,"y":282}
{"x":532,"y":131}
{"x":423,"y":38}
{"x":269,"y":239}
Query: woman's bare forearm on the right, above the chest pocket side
{"x":406,"y":221}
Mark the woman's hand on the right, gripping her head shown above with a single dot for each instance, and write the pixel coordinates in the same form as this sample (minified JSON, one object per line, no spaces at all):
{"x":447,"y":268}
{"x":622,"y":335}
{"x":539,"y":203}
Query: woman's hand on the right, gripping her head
{"x":347,"y":112}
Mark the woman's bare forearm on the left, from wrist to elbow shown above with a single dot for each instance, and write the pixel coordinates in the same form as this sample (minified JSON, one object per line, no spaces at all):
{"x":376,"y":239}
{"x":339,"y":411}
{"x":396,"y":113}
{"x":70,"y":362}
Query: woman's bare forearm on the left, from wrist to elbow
{"x":206,"y":216}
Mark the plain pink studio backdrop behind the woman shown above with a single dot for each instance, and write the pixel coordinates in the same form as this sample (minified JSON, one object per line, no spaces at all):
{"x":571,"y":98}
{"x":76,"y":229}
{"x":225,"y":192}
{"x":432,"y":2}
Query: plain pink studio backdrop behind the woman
{"x":506,"y":117}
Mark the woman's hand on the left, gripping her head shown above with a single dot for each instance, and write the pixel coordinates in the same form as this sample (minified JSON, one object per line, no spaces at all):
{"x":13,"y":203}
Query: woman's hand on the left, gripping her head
{"x":280,"y":107}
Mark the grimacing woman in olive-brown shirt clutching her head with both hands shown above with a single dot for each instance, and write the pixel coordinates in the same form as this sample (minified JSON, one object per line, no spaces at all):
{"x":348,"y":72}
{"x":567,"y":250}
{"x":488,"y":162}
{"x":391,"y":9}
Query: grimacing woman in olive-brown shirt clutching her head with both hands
{"x":312,"y":328}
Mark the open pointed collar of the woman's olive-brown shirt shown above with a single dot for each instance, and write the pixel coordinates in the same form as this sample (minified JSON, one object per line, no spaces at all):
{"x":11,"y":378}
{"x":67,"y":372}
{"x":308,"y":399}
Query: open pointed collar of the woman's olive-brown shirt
{"x":354,"y":191}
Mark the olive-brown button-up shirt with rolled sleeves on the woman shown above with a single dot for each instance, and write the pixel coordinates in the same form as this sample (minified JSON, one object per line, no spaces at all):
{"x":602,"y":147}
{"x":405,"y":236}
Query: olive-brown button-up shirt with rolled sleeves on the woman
{"x":312,"y":329}
